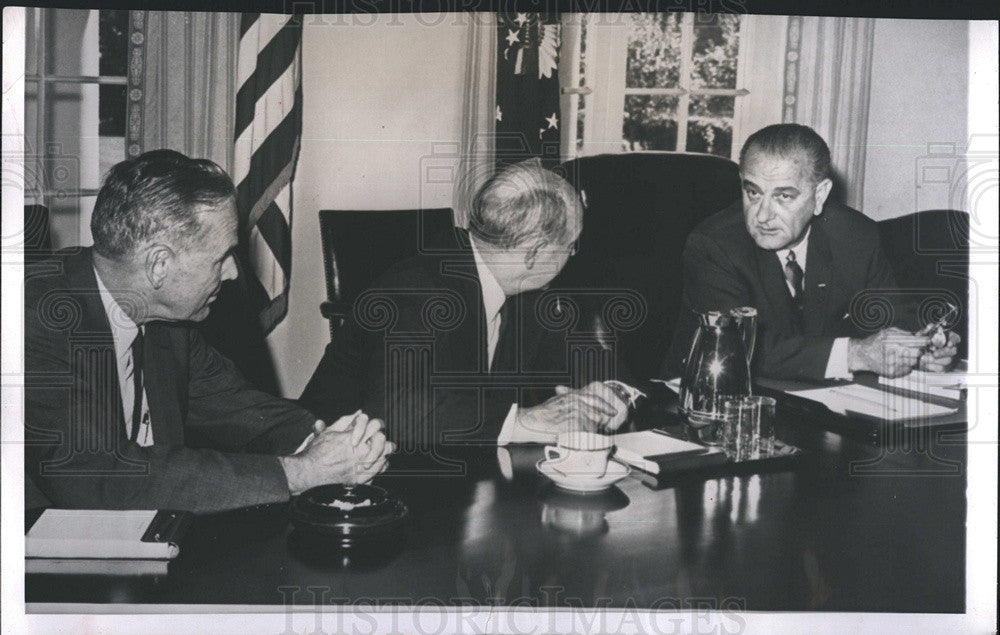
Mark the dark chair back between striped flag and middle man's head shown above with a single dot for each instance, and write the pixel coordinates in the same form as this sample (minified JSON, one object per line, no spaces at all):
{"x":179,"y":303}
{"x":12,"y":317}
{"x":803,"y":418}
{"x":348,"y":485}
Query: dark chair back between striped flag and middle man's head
{"x":360,"y":245}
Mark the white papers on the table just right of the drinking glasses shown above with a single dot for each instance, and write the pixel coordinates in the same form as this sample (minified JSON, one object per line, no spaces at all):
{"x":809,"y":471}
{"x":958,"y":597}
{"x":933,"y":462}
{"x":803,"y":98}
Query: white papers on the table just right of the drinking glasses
{"x":872,"y":402}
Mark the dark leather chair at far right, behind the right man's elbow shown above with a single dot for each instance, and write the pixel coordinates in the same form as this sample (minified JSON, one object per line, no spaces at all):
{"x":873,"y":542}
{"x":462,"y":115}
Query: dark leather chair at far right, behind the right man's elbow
{"x":929,"y":252}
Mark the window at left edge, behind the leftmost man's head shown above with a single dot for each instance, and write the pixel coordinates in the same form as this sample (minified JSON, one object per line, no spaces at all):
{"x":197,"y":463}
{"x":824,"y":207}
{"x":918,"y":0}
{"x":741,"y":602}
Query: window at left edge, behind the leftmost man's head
{"x":75,"y":65}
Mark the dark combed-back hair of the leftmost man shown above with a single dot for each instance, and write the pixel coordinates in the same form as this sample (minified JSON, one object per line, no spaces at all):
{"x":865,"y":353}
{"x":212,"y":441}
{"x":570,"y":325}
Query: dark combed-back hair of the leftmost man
{"x":158,"y":194}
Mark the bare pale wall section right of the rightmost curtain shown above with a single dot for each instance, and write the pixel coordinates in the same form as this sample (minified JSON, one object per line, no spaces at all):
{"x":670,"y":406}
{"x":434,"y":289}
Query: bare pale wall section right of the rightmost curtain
{"x":919,"y":97}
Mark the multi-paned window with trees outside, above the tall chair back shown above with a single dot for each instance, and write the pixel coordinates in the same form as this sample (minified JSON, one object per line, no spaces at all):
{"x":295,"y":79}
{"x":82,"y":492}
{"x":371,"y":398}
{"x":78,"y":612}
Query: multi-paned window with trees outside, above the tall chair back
{"x":653,"y":81}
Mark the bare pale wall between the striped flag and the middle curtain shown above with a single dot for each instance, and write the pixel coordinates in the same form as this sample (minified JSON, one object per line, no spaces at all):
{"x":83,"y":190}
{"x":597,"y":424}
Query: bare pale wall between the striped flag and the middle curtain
{"x":382,"y":104}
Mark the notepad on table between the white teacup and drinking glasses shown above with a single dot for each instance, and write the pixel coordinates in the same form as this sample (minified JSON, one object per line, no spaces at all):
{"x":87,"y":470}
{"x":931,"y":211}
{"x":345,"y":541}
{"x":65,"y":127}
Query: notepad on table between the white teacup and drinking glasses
{"x":656,"y":452}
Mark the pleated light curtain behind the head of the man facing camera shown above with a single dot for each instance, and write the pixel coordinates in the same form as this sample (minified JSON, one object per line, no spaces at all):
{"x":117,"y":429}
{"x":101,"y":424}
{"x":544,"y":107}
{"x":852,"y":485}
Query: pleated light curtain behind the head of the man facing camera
{"x":828,"y":87}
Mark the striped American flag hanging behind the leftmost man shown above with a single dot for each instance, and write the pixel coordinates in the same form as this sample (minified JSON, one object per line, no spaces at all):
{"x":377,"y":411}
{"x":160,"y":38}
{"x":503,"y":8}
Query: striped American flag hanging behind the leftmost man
{"x":268,"y":133}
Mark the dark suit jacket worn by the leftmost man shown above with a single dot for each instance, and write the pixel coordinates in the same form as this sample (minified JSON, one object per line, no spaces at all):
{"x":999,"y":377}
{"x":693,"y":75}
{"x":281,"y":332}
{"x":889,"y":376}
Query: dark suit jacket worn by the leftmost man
{"x":215,"y":437}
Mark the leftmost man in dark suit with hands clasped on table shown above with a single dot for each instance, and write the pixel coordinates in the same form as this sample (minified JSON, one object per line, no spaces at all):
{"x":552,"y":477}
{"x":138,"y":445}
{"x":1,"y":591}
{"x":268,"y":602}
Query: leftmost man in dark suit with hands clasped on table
{"x":127,"y":406}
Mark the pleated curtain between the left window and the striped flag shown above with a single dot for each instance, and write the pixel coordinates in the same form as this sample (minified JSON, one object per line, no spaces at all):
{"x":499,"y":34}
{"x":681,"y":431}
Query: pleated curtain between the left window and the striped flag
{"x":182,"y":76}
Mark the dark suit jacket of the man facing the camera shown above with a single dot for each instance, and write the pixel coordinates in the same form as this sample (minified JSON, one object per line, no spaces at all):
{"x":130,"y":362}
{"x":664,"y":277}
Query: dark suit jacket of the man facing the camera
{"x":847,"y":282}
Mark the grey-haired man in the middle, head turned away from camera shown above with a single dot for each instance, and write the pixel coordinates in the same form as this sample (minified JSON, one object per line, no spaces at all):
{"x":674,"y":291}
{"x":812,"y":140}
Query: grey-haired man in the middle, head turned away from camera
{"x":465,"y":346}
